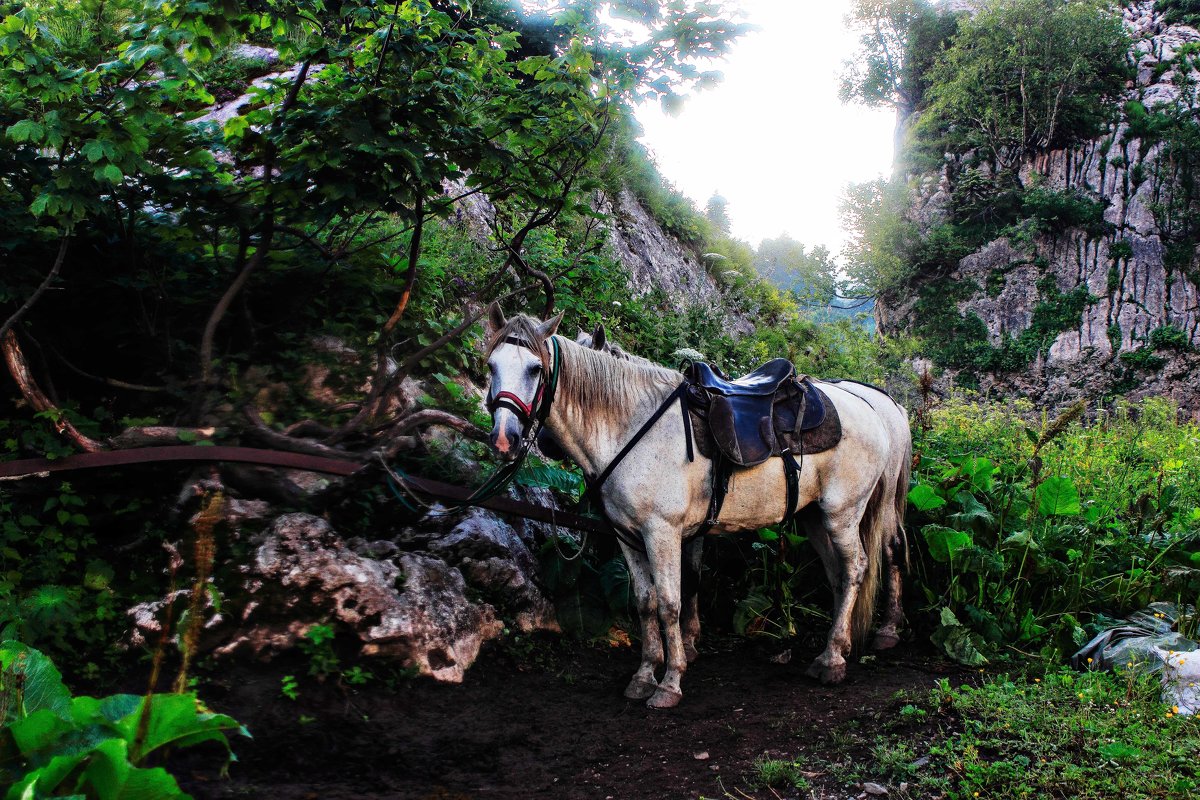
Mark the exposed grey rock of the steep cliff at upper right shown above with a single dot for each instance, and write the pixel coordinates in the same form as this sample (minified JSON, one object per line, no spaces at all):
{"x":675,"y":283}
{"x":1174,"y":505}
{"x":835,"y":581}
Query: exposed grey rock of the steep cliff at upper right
{"x":1126,"y":291}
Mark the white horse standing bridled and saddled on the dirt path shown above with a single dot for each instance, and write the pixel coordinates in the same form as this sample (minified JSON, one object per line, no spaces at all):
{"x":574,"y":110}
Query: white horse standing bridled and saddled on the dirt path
{"x":851,"y":498}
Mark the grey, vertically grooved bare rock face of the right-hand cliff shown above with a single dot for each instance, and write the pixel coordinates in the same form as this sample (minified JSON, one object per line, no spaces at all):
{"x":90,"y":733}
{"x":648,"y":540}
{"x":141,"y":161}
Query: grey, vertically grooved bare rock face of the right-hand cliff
{"x":1132,"y":296}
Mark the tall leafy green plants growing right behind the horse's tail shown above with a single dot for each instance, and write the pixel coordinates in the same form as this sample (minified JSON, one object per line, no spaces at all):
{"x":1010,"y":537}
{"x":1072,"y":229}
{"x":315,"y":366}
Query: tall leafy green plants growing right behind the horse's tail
{"x":1031,"y":531}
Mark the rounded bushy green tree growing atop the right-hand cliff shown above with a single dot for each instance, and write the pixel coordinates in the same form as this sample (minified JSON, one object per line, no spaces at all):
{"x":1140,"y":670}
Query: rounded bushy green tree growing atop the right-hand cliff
{"x":1025,"y":76}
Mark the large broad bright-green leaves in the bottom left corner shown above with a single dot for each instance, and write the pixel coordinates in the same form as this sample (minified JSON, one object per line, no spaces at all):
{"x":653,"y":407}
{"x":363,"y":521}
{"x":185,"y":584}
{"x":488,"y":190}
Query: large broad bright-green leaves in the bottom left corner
{"x":53,"y":744}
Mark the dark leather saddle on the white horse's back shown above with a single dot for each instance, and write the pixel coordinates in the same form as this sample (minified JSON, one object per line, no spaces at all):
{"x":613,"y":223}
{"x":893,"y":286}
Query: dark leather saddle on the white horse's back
{"x":766,"y":413}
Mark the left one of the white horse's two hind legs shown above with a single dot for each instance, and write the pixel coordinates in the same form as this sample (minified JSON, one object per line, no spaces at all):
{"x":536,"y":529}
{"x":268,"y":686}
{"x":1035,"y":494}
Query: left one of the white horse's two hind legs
{"x":847,"y":549}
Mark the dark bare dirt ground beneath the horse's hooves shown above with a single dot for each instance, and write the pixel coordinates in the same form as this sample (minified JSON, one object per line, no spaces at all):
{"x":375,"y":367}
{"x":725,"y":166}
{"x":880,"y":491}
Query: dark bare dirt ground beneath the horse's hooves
{"x":547,"y":721}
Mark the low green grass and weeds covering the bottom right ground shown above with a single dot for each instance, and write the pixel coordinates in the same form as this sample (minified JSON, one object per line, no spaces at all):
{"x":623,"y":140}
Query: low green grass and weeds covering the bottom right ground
{"x":1064,"y":735}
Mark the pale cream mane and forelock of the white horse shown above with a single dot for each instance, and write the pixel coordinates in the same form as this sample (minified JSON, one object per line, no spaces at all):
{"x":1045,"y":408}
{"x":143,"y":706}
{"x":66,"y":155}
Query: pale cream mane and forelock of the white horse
{"x":593,"y":382}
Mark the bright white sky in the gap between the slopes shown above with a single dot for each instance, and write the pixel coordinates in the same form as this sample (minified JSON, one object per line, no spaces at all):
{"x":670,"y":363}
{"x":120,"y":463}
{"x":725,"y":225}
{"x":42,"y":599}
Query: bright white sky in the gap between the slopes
{"x":773,"y":139}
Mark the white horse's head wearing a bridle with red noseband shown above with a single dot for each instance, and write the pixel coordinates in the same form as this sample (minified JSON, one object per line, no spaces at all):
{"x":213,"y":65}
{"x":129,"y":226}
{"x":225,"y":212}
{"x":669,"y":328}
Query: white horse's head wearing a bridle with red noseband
{"x":519,"y":365}
